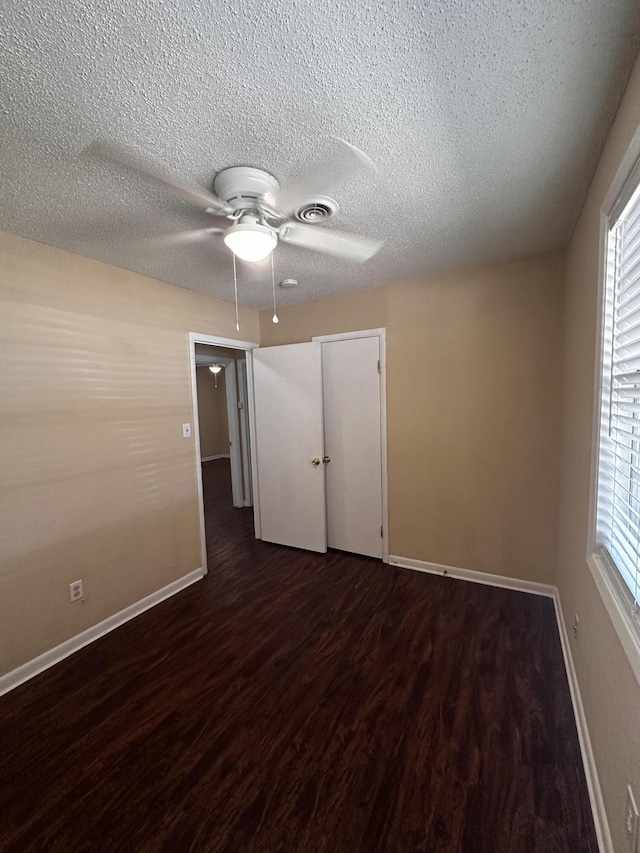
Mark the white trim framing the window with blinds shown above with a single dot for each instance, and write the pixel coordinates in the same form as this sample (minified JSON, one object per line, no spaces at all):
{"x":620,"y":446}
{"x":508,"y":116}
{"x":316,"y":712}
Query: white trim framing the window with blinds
{"x":612,"y":589}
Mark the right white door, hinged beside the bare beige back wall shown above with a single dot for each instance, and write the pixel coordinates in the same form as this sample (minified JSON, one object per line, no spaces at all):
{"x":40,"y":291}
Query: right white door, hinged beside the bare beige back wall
{"x":352,"y":432}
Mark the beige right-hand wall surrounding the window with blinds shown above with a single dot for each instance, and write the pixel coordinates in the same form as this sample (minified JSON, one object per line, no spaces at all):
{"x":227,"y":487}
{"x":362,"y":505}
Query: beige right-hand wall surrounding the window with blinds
{"x":609,"y":690}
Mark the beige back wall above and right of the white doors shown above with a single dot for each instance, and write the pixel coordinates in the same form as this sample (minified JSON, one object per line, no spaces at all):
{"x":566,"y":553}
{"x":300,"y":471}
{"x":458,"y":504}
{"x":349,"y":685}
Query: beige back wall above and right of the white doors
{"x":472,"y":409}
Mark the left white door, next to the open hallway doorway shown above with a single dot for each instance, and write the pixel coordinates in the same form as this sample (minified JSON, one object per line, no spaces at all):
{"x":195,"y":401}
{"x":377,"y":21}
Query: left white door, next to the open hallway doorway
{"x":288,"y":438}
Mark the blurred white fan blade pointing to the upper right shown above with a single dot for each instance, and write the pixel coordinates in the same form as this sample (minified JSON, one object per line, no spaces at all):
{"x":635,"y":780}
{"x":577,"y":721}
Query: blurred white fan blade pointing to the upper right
{"x":326,"y":173}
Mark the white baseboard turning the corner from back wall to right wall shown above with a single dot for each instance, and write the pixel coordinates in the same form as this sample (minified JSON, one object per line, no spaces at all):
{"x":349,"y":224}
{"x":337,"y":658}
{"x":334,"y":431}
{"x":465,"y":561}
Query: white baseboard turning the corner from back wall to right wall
{"x":603,"y":833}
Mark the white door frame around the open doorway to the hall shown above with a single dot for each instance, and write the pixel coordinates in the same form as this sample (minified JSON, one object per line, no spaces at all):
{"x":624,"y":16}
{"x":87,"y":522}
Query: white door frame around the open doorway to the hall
{"x":228,"y":343}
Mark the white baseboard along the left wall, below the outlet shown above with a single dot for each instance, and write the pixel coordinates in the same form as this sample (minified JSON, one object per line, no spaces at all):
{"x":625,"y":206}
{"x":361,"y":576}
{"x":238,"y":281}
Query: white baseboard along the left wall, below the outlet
{"x":44,"y":661}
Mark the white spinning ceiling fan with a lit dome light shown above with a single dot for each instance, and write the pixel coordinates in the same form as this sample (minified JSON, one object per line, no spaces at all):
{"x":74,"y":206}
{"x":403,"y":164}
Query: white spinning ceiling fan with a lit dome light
{"x":261,"y":211}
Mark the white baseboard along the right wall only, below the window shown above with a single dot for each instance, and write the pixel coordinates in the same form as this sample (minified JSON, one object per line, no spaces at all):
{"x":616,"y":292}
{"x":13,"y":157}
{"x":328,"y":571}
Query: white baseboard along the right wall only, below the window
{"x":605,"y":842}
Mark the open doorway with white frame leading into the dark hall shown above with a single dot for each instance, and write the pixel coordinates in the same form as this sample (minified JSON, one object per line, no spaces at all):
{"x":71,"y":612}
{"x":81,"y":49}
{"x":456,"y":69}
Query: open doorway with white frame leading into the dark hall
{"x":221,"y":384}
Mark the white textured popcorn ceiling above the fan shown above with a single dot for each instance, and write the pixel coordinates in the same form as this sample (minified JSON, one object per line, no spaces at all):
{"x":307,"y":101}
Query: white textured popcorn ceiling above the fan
{"x":485,"y":119}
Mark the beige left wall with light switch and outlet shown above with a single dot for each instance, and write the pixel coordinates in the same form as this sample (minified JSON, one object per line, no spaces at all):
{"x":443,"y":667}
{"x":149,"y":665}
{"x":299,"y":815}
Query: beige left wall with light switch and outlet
{"x":96,"y":480}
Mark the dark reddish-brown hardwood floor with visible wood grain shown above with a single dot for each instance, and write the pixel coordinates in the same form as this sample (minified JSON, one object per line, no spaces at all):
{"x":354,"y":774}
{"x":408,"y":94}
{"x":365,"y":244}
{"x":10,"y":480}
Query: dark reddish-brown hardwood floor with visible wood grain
{"x":301,"y":702}
